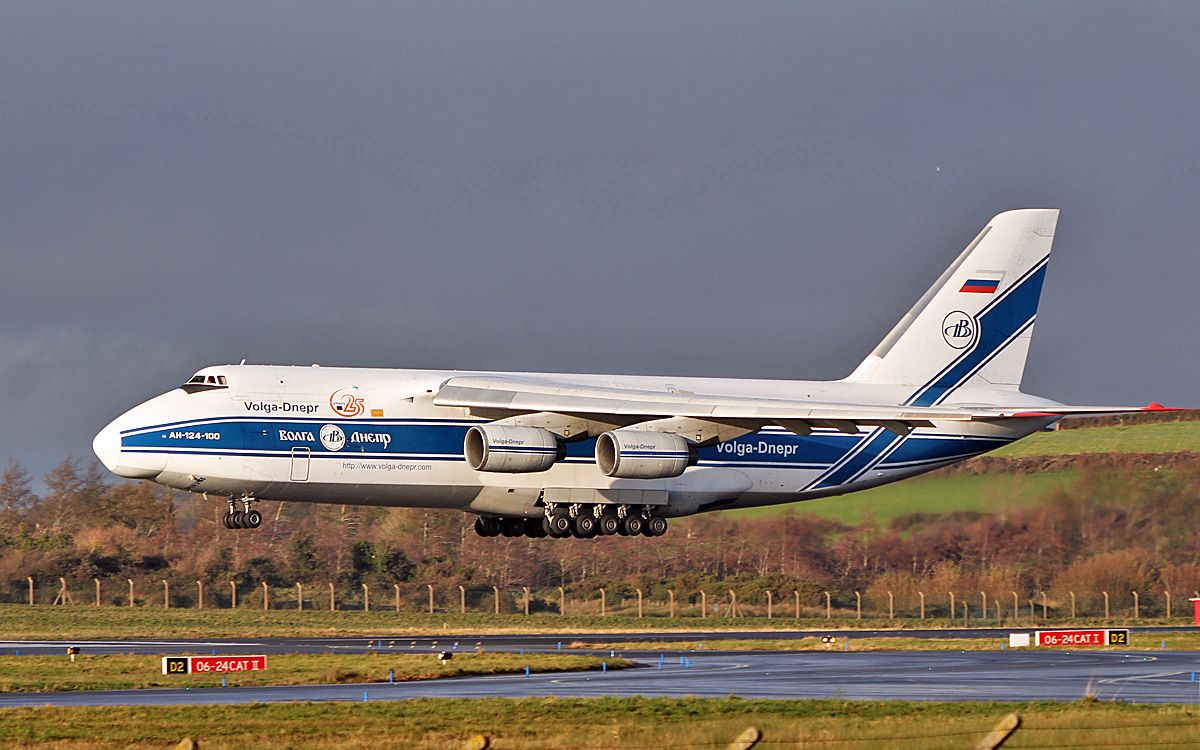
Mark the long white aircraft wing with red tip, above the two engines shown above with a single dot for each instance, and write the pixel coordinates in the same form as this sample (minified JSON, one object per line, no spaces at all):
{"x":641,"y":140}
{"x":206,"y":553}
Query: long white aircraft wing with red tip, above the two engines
{"x":511,"y":397}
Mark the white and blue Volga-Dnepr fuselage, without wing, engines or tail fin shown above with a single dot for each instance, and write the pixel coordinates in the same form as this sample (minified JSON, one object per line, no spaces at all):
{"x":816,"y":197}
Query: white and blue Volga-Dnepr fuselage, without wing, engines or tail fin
{"x":374,"y":437}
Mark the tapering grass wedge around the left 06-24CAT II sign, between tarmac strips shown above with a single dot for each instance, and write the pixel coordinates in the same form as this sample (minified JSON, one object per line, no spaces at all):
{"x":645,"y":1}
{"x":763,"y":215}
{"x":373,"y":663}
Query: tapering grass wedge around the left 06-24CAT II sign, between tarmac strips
{"x":124,"y":671}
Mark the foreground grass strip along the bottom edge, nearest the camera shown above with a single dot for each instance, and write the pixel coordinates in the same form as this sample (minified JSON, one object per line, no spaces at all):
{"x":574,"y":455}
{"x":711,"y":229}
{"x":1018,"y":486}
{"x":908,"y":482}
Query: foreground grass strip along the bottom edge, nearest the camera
{"x":609,"y":724}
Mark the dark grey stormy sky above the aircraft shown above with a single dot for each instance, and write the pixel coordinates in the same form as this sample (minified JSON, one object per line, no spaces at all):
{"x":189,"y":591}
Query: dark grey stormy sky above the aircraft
{"x":739,"y":189}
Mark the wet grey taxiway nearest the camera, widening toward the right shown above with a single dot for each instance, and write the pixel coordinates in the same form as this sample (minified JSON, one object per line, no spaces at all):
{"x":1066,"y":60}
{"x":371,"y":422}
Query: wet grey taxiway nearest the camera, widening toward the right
{"x":1160,"y":677}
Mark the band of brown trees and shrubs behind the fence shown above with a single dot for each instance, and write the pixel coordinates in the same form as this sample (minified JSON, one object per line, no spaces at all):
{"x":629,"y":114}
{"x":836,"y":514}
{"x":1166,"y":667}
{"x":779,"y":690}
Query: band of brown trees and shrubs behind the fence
{"x":1125,"y":525}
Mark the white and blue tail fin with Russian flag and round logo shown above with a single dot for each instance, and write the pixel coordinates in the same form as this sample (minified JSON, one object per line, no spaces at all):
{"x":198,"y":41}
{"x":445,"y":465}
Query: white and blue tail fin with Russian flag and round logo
{"x":975,"y":325}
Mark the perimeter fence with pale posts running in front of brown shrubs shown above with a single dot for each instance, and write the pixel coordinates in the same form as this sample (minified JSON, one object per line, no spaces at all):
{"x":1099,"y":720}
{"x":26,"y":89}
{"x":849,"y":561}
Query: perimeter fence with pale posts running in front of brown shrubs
{"x":716,"y":603}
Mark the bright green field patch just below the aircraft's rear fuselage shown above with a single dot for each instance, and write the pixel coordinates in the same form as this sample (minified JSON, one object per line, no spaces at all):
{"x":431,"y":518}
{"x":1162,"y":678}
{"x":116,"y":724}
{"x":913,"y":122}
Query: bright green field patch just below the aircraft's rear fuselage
{"x":935,"y":494}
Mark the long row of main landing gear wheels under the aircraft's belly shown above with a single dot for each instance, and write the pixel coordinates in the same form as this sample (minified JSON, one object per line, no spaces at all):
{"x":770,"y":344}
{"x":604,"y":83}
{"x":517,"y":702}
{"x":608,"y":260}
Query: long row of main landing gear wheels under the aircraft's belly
{"x":579,"y":521}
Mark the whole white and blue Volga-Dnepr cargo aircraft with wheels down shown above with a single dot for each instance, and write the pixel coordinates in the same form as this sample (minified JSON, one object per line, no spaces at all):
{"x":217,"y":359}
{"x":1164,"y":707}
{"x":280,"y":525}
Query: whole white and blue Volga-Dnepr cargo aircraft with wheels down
{"x":586,"y":455}
